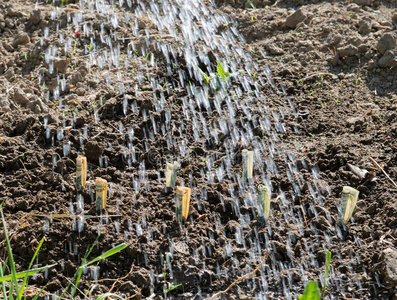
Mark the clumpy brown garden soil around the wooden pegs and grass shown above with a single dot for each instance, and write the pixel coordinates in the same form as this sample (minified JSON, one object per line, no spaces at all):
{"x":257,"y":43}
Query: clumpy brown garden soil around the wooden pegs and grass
{"x":329,"y":84}
